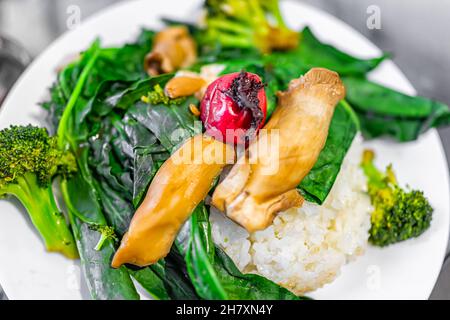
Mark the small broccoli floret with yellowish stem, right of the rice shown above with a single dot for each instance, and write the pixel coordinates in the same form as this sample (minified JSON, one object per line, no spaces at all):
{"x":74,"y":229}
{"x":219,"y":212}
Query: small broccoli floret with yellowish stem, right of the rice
{"x":398,"y":215}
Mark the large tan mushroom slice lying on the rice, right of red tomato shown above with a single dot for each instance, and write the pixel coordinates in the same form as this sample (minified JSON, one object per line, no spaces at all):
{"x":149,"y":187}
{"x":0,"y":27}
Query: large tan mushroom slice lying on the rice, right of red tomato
{"x":263,"y":182}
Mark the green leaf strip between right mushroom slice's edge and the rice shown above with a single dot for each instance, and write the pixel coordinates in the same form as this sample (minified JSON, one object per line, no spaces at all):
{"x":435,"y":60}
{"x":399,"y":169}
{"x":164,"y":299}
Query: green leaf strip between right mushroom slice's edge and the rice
{"x":319,"y":181}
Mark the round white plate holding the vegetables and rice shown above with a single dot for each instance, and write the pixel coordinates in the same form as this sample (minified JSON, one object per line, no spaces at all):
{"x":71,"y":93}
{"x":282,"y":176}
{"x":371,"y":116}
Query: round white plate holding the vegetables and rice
{"x":403,"y":271}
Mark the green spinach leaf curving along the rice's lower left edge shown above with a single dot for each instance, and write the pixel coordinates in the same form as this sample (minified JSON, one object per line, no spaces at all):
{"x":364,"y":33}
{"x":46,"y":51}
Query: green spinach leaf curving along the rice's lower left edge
{"x":214,"y":274}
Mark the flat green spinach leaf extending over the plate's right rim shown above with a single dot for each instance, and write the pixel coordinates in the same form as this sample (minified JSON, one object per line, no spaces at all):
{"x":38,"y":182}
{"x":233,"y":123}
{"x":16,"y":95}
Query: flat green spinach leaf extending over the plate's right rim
{"x":386,"y":112}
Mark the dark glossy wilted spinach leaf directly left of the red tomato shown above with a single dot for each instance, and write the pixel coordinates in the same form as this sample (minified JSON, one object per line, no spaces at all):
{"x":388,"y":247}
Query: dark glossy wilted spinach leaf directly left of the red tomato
{"x":127,"y":150}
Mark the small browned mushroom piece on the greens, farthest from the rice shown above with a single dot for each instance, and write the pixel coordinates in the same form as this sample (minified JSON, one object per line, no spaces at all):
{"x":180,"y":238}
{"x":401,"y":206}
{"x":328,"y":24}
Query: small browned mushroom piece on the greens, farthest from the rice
{"x":173,"y":48}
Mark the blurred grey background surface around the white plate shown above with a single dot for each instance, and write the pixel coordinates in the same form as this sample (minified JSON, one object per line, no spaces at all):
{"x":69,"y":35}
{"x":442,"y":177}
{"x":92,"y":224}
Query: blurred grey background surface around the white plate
{"x":414,"y":31}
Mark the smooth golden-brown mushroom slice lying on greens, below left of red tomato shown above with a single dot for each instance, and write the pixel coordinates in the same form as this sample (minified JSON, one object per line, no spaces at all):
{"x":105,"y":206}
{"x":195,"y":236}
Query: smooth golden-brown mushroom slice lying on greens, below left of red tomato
{"x":180,"y":185}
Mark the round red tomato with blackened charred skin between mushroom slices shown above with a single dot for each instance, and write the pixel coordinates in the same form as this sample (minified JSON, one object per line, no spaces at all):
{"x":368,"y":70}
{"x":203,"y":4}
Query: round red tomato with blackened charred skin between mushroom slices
{"x":234,"y":107}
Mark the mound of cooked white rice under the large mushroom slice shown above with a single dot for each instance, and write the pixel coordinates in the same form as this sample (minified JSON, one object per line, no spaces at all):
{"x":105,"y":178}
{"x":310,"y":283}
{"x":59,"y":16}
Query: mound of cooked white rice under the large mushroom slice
{"x":305,"y":248}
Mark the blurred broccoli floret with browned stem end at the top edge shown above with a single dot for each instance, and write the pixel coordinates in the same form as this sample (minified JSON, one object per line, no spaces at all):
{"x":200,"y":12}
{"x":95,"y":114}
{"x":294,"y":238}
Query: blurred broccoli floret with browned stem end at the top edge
{"x":248,"y":24}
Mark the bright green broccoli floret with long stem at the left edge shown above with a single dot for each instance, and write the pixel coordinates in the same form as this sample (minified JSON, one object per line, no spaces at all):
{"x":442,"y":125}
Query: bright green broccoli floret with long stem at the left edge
{"x":29,"y":159}
